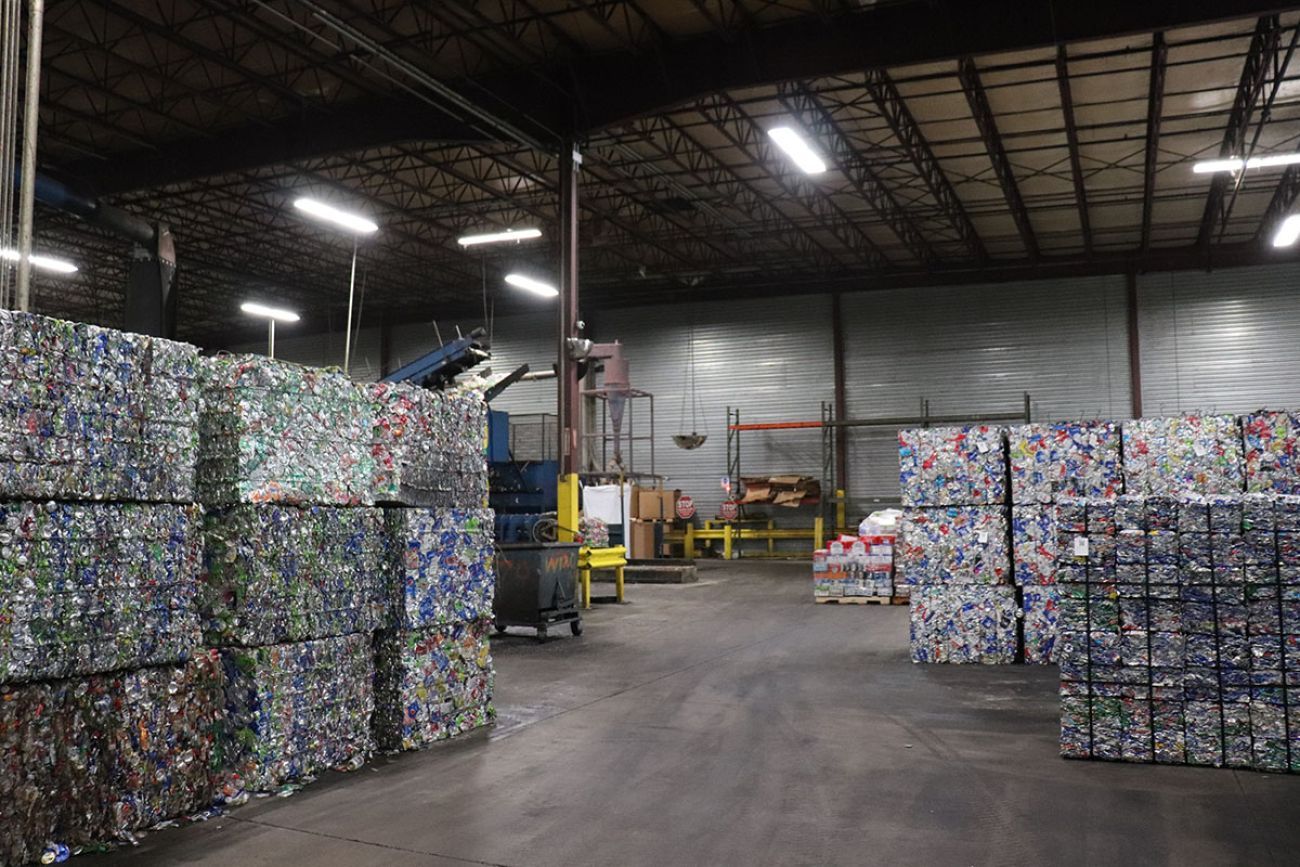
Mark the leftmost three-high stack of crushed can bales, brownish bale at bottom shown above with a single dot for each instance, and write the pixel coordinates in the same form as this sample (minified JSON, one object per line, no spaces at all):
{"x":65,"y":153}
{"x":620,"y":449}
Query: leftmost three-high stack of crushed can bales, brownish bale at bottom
{"x":106,"y":708}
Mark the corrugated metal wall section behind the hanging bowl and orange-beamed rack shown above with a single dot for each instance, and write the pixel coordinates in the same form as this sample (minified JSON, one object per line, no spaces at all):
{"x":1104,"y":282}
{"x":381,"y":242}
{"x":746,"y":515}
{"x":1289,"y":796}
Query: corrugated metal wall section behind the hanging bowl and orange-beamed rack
{"x":772,"y":358}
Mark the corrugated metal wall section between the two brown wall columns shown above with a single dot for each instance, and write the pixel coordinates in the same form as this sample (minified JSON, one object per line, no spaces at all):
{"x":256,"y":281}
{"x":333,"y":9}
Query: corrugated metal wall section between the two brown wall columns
{"x":978,"y":349}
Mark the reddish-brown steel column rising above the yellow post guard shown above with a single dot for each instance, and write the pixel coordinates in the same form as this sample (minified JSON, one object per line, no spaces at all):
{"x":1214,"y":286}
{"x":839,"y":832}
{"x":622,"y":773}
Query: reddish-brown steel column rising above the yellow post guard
{"x":567,"y":385}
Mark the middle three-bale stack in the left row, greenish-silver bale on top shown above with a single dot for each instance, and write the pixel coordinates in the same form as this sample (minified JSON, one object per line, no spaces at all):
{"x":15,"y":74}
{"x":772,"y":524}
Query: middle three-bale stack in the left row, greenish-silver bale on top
{"x":294,"y":566}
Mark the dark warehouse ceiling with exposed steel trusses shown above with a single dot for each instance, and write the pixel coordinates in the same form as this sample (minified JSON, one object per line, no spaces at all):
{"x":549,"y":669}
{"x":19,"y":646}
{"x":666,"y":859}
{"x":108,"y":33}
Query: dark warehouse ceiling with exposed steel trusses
{"x":967,"y":142}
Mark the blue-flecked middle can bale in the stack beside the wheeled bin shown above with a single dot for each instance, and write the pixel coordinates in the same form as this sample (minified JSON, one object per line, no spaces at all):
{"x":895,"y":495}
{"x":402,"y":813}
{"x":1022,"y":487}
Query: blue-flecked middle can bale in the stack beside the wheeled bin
{"x":444,"y":567}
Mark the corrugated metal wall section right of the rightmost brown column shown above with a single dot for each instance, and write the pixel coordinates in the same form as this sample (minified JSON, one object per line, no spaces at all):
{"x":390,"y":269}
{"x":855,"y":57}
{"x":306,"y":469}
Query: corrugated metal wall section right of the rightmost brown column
{"x":1223,"y":341}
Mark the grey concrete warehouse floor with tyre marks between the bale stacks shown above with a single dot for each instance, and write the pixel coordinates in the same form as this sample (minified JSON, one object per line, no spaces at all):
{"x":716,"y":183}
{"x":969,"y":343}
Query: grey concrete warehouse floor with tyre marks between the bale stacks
{"x":736,"y":723}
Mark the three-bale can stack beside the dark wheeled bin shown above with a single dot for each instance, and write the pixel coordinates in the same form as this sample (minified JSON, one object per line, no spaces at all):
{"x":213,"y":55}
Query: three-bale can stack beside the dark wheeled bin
{"x":434,"y":664}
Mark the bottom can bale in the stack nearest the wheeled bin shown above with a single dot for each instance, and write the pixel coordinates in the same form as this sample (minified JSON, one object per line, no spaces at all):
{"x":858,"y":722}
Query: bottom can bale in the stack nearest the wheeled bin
{"x":432,"y":684}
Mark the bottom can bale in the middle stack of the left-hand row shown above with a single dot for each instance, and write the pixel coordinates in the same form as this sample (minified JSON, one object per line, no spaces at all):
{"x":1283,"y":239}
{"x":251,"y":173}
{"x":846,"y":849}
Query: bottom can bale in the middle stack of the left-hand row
{"x":294,"y":710}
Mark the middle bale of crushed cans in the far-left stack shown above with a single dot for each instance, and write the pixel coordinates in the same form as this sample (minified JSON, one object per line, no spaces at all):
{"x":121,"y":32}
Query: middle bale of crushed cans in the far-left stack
{"x":89,"y":588}
